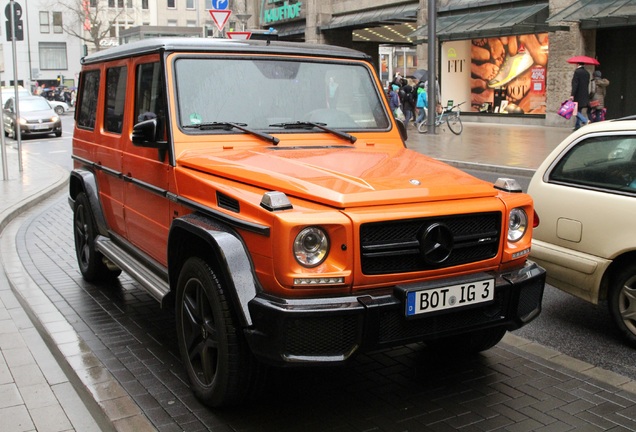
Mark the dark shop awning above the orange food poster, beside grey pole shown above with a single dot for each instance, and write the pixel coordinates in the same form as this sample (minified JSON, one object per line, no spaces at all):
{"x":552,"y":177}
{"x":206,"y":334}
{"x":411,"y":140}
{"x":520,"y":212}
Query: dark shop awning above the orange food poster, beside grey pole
{"x":489,"y":23}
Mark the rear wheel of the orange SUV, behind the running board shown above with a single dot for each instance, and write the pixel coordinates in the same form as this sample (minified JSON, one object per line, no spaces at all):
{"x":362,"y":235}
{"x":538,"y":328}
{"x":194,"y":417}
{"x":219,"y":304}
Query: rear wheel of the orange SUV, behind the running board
{"x":90,"y":261}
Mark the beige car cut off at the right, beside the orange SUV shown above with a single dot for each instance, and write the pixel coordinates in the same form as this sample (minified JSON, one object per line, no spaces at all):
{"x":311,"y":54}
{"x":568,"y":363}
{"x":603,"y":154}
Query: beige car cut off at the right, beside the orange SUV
{"x":585,"y":196}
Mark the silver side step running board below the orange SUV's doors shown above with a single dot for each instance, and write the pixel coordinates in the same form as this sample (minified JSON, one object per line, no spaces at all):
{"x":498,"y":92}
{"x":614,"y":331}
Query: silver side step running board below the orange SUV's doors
{"x":156,"y":286}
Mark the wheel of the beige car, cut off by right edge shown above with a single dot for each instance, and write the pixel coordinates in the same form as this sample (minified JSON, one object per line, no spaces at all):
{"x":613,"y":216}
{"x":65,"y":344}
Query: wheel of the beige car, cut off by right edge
{"x":622,"y":302}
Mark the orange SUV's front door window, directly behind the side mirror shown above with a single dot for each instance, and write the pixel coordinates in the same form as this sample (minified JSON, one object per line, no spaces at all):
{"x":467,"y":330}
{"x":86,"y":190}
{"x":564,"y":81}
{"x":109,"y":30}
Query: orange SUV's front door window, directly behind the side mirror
{"x":149,"y":100}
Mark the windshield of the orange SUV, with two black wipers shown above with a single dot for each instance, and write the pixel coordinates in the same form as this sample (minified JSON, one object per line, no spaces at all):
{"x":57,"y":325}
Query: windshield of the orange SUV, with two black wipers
{"x":271,"y":94}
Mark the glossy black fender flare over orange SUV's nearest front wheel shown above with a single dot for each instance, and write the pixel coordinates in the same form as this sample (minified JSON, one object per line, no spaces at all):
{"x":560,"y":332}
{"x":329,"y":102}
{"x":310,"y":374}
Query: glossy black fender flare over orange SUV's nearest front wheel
{"x":227,"y":249}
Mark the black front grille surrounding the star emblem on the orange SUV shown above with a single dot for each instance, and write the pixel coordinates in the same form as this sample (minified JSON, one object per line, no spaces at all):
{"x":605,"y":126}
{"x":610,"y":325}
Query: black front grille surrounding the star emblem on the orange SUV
{"x":396,"y":246}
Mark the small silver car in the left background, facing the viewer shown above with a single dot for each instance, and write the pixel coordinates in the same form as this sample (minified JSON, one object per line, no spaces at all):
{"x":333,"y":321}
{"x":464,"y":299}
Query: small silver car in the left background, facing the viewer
{"x":36,"y":117}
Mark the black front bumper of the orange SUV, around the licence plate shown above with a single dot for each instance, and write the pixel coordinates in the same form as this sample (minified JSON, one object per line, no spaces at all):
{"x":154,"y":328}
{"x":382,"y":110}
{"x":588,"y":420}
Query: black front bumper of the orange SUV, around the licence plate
{"x":331,"y":330}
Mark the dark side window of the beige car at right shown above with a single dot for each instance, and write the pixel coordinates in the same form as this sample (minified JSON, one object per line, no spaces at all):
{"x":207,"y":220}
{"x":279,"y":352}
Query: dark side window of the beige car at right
{"x":602,"y":162}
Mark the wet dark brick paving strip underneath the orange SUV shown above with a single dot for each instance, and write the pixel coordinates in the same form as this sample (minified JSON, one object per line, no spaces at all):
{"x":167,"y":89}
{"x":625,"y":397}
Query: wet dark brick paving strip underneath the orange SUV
{"x":514,"y":386}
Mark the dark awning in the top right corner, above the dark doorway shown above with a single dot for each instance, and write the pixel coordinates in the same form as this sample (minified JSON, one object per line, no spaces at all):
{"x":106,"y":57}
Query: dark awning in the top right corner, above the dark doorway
{"x":594,"y":14}
